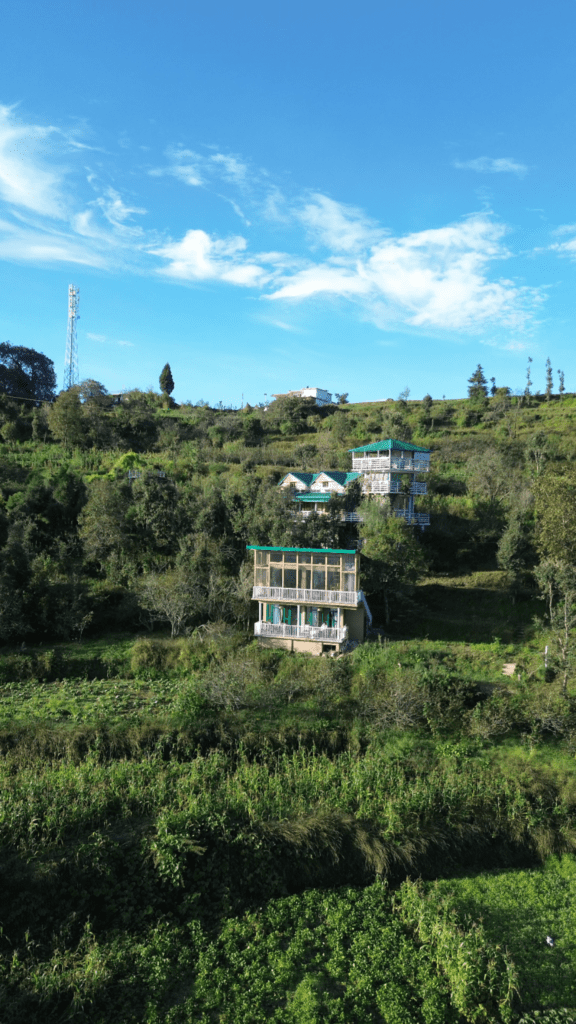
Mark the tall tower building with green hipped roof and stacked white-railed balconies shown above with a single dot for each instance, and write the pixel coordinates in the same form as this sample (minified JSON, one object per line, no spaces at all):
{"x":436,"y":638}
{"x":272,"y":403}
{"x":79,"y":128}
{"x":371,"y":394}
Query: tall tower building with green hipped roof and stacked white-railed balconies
{"x":389,"y":472}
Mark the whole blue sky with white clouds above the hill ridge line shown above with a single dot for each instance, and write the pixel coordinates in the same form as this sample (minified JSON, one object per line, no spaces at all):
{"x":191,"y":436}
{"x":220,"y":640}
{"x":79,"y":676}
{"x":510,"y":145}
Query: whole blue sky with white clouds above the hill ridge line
{"x":362,"y":198}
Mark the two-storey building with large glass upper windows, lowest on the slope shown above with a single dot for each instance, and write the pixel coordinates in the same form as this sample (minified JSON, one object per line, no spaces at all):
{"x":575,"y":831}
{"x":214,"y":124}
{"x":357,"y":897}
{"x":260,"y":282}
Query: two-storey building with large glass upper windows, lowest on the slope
{"x":309,"y":599}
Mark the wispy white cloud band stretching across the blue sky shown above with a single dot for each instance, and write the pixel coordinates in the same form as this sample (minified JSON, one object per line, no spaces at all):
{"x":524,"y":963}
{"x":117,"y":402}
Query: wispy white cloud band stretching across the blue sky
{"x":442,"y":279}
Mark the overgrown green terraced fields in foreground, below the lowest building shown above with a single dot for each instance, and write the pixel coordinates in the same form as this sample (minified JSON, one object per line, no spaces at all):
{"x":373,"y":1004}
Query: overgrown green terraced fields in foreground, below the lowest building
{"x":200,"y":830}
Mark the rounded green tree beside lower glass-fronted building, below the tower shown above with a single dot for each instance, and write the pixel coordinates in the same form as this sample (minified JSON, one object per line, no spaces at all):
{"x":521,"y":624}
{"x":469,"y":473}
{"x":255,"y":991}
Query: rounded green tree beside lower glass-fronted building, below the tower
{"x":394,"y":557}
